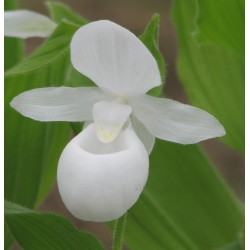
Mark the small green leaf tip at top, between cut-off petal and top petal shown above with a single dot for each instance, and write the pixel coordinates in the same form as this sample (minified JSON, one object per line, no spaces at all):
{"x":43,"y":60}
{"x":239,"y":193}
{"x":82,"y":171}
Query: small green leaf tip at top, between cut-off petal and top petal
{"x":59,"y":11}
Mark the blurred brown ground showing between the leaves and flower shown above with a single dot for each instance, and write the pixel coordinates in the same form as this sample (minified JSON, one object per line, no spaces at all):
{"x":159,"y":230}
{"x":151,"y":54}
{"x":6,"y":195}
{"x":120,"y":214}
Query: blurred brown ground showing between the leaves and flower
{"x":134,"y":15}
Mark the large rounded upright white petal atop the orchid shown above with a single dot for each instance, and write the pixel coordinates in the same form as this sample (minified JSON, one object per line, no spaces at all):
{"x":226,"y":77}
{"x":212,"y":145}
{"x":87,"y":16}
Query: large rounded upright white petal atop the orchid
{"x":114,"y":58}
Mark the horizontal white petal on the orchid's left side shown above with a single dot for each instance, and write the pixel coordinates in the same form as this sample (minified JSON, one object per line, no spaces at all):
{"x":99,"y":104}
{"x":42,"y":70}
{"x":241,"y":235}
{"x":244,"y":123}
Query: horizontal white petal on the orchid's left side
{"x":58,"y":103}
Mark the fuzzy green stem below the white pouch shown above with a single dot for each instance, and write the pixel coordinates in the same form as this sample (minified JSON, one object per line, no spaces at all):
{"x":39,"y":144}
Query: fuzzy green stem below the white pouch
{"x":118,"y":233}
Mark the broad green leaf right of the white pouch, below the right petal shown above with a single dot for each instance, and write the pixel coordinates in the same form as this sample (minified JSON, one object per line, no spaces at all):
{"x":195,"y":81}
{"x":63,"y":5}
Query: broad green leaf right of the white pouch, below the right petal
{"x":185,"y":204}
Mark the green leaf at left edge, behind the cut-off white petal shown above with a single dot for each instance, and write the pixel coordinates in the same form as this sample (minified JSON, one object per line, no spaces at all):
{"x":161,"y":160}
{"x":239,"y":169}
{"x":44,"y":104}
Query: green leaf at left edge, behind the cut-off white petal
{"x":13,"y":47}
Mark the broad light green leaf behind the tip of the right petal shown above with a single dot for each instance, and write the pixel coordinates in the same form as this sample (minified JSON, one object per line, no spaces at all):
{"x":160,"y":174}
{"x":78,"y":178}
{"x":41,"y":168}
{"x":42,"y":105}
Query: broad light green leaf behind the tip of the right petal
{"x":212,"y":76}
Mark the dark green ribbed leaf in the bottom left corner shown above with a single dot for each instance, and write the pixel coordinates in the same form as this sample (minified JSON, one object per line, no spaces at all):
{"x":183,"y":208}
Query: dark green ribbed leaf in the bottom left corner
{"x":39,"y":231}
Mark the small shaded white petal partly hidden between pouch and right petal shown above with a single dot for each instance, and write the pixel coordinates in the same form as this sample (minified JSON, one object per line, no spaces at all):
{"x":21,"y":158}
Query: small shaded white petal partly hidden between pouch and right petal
{"x":144,"y":135}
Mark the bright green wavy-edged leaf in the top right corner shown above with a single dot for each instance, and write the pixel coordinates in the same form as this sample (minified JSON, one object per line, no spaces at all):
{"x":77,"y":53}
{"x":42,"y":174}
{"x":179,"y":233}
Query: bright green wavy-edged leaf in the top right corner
{"x":221,"y":22}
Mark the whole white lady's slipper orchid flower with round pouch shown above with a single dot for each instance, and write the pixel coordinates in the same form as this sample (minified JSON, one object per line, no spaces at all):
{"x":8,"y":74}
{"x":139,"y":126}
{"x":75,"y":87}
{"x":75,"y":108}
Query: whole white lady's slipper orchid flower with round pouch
{"x":103,"y":170}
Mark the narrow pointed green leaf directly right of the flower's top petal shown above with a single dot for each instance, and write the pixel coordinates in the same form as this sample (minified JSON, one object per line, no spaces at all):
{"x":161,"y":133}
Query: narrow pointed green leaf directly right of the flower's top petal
{"x":150,"y":40}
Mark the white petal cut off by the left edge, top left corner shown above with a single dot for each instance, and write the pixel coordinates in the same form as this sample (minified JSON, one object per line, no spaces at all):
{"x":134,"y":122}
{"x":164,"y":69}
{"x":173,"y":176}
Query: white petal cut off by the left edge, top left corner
{"x":25,"y":24}
